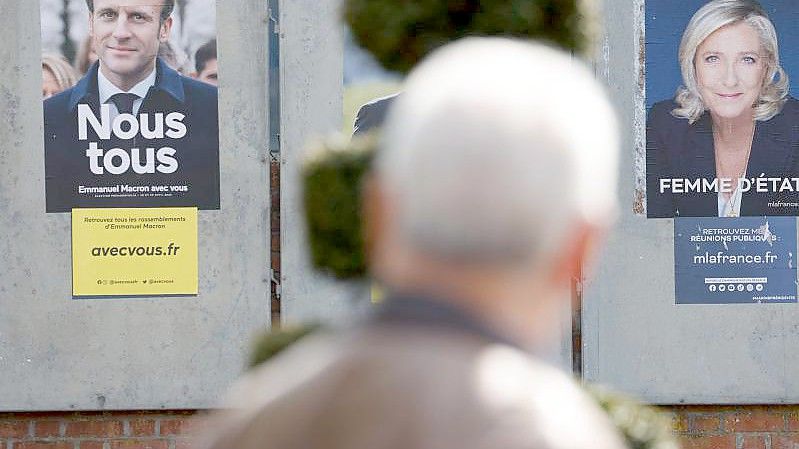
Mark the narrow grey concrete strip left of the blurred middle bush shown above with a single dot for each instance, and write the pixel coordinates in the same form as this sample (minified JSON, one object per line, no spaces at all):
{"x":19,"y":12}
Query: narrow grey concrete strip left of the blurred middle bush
{"x":311,"y":49}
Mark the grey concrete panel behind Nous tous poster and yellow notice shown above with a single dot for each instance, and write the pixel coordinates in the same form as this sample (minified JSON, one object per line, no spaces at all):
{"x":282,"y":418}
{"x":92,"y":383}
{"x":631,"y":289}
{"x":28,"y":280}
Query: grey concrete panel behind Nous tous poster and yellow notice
{"x":57,"y":353}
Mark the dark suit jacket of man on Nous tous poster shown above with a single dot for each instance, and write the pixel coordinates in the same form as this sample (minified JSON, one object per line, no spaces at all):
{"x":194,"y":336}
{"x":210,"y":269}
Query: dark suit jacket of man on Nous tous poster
{"x":197,"y":153}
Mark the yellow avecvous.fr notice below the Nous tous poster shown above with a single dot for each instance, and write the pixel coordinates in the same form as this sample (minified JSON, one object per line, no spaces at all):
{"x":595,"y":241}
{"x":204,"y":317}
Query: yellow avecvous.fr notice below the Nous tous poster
{"x":134,"y":251}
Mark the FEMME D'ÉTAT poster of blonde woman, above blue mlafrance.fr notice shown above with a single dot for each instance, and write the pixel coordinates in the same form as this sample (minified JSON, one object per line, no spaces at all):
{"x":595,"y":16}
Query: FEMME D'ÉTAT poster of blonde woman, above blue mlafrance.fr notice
{"x":721,"y":133}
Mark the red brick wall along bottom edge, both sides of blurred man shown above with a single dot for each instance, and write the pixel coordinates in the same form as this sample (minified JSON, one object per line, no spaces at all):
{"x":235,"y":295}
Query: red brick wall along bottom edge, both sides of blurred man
{"x":699,"y":427}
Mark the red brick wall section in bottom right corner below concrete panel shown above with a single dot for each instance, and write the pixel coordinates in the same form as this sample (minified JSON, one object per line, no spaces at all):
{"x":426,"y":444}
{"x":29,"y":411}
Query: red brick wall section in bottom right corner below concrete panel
{"x":737,"y":427}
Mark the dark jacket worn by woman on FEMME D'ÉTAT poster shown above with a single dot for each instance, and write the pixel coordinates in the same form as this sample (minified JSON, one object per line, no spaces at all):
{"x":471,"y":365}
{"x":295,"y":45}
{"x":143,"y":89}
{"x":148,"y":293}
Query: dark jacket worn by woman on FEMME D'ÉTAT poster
{"x":677,"y":149}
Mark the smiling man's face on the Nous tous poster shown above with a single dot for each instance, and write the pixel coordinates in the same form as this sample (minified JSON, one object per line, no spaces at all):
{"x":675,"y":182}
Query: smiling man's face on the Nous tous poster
{"x":126,"y":34}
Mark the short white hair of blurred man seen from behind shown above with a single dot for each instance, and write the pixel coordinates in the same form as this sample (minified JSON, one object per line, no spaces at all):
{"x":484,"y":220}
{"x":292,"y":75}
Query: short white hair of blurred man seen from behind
{"x":495,"y":147}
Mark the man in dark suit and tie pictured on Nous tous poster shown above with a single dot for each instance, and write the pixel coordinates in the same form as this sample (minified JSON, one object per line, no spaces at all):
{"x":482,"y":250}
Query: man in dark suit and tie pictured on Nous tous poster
{"x":133,"y":132}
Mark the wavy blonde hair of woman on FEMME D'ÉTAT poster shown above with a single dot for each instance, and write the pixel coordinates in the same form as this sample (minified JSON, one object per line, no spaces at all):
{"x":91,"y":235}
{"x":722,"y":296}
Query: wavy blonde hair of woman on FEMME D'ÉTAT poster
{"x":710,"y":18}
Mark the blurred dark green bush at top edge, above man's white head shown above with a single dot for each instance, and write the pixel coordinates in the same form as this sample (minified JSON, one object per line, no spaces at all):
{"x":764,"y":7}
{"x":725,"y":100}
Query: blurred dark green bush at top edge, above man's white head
{"x":399,"y":33}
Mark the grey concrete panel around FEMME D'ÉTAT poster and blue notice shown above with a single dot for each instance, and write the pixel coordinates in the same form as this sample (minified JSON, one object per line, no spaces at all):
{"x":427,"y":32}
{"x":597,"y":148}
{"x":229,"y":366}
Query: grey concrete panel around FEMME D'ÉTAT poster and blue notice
{"x":635,"y":338}
